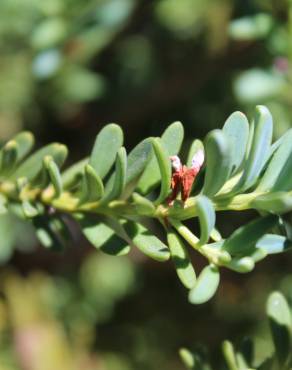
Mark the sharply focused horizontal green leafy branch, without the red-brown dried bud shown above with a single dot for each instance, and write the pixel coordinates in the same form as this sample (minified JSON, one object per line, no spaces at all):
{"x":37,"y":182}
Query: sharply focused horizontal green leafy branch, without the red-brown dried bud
{"x":117,"y":206}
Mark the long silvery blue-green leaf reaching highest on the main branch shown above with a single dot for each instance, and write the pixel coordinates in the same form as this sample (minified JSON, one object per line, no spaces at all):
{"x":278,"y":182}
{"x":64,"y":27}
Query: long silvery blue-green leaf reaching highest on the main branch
{"x":259,"y":150}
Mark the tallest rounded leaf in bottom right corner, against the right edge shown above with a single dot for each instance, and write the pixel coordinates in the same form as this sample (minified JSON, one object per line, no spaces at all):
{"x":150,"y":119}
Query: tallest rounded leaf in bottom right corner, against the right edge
{"x":280,"y":321}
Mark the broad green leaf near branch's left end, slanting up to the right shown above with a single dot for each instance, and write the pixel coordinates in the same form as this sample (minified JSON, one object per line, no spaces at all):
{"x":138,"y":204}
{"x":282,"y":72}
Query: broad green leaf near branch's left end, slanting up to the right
{"x":32,"y":166}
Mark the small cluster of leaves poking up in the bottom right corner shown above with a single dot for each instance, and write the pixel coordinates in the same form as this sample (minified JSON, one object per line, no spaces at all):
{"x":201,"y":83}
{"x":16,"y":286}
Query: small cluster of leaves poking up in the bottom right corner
{"x":244,"y":356}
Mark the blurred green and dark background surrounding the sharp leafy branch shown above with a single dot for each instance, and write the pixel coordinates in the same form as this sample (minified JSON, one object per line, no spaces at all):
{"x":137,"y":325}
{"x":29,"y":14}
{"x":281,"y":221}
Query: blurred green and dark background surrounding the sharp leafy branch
{"x":68,"y":67}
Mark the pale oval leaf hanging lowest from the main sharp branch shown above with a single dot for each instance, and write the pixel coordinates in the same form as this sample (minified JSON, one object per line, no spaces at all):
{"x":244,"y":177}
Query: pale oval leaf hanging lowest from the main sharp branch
{"x":206,"y":285}
